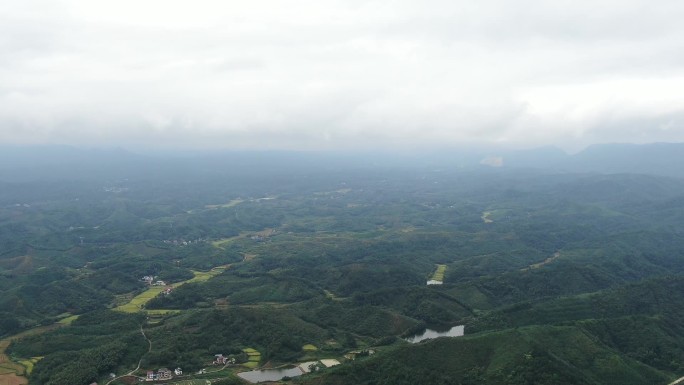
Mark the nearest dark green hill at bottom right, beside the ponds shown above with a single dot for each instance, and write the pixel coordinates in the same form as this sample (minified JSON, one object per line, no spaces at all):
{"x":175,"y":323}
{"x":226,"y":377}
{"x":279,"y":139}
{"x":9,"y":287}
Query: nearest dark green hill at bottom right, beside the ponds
{"x":538,"y":355}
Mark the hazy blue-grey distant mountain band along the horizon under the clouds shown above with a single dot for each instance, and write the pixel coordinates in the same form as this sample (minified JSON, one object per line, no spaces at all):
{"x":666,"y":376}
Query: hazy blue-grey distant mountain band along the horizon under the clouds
{"x":663,"y":159}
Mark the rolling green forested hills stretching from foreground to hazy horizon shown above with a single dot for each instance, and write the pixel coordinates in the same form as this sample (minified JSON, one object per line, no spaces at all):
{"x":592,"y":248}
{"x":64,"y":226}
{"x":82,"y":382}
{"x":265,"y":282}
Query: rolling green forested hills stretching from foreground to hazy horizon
{"x":561,"y":275}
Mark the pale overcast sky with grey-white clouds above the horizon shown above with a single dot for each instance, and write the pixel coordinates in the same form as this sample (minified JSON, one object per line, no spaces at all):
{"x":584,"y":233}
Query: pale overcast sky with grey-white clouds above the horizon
{"x":339,"y":74}
